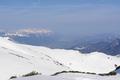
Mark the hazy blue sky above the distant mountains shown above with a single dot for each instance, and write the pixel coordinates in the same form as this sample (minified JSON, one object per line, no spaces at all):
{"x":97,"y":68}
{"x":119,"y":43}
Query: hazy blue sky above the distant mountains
{"x":68,"y":17}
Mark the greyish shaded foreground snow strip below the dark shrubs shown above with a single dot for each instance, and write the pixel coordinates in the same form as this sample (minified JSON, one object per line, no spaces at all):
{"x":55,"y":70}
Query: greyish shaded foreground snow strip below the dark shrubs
{"x":70,"y":77}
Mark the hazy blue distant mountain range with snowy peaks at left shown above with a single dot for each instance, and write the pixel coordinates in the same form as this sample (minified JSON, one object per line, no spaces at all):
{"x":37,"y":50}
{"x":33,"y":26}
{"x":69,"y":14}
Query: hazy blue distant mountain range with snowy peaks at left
{"x":109,"y":44}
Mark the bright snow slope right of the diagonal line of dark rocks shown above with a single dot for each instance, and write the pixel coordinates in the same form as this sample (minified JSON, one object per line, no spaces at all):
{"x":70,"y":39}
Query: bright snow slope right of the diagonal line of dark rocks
{"x":94,"y":62}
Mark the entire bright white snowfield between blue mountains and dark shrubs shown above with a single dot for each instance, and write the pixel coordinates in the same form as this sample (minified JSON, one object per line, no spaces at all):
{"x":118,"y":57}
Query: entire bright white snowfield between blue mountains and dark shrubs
{"x":18,"y":59}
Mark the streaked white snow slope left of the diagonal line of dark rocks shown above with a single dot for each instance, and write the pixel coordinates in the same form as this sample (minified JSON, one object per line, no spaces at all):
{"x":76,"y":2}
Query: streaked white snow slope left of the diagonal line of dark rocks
{"x":16,"y":59}
